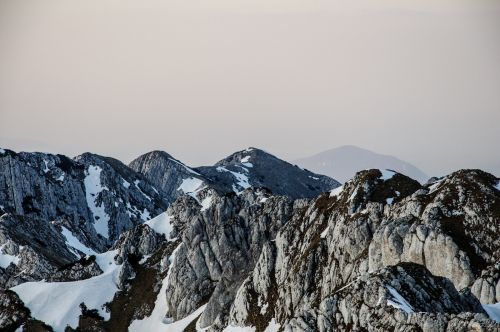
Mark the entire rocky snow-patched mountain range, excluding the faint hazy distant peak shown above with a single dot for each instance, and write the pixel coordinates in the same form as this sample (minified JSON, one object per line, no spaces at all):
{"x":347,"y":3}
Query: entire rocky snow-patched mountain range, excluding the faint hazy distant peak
{"x":252,"y":243}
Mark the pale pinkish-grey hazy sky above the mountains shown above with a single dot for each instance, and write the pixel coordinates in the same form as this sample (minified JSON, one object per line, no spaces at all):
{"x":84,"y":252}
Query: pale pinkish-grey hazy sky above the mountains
{"x":418,"y":79}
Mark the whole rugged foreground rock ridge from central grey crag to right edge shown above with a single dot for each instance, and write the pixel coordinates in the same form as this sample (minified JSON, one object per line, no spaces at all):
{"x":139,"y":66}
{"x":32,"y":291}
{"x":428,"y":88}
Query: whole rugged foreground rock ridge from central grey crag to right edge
{"x":377,"y":254}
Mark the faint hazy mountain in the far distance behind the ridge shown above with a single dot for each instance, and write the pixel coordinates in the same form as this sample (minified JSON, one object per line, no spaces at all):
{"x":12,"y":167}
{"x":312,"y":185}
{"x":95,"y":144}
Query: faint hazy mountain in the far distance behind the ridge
{"x":343,"y":162}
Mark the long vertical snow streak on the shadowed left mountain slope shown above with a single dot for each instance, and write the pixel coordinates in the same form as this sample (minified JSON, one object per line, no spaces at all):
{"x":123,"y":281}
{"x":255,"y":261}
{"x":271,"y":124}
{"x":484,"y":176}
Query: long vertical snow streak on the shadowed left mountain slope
{"x":93,"y":187}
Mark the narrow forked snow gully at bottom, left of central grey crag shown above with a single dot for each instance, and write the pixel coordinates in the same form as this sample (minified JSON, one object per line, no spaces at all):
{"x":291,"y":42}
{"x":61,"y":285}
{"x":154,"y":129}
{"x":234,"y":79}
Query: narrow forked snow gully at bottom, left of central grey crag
{"x":157,"y":321}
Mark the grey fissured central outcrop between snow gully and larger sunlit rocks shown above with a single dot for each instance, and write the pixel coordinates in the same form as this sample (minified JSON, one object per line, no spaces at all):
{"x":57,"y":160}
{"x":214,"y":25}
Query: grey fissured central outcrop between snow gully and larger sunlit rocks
{"x":221,"y":245}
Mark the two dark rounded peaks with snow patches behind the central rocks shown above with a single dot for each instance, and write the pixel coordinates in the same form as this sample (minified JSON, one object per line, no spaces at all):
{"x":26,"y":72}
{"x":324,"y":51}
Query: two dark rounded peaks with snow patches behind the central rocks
{"x":248,"y":168}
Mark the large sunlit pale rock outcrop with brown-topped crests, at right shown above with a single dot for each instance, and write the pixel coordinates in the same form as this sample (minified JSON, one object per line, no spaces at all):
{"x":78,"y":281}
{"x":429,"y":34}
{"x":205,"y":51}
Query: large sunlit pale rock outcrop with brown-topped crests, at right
{"x":358,"y":233}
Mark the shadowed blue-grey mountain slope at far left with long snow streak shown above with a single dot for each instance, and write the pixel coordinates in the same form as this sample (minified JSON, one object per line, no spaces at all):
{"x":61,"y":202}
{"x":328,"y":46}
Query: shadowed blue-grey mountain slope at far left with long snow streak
{"x":98,"y":197}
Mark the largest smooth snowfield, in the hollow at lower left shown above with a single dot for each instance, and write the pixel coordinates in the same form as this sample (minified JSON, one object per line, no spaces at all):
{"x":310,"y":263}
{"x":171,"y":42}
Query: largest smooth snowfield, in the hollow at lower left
{"x":58,"y":303}
